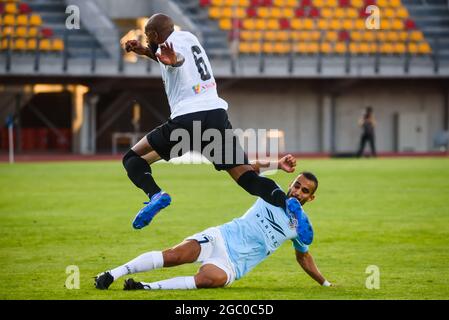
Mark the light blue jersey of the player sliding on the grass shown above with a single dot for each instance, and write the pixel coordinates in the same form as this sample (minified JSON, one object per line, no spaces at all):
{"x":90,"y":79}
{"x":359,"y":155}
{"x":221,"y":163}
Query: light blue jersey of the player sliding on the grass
{"x":260,"y":231}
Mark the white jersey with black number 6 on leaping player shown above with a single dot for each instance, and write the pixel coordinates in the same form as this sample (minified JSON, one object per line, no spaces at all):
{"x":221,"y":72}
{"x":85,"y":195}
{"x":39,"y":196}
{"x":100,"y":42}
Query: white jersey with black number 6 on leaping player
{"x":190,"y":87}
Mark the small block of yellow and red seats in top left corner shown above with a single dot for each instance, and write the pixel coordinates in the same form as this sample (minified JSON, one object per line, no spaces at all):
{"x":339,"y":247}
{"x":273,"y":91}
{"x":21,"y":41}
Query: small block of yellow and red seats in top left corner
{"x":22,"y":30}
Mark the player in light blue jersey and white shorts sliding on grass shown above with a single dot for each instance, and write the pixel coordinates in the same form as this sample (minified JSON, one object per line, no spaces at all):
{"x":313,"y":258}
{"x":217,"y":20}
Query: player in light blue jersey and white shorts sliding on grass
{"x":229,"y":251}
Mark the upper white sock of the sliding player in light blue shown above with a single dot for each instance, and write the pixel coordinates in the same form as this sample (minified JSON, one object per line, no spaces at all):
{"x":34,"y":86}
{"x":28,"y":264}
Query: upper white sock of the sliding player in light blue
{"x":145,"y":262}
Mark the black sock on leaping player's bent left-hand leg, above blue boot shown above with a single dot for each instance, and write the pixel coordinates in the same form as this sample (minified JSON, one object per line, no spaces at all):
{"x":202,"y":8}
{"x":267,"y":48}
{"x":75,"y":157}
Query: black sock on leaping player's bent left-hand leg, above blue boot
{"x":139,"y":172}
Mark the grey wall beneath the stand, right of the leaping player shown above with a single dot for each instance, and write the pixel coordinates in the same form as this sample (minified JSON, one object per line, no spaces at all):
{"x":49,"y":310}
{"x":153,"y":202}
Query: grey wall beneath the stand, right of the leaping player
{"x":304,"y":109}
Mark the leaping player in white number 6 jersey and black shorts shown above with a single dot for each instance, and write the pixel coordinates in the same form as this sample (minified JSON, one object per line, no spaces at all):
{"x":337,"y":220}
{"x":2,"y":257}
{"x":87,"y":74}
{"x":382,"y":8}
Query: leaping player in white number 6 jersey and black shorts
{"x":192,"y":95}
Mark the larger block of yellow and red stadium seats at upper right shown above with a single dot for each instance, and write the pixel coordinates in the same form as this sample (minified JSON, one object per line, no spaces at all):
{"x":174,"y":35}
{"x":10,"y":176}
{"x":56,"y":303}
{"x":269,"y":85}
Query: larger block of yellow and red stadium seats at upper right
{"x":317,"y":26}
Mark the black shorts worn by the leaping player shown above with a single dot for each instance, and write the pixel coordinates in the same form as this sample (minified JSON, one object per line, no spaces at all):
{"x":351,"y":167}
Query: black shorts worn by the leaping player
{"x":207,"y":132}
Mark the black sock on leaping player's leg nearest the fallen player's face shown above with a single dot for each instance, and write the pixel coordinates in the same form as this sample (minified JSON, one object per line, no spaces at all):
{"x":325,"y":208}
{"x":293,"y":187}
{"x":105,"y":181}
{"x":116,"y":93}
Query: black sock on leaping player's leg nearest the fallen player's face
{"x":263,"y":187}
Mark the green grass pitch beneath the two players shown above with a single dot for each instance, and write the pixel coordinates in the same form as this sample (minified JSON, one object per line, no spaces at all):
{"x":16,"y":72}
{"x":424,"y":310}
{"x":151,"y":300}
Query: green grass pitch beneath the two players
{"x":391,"y":213}
